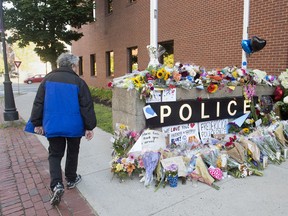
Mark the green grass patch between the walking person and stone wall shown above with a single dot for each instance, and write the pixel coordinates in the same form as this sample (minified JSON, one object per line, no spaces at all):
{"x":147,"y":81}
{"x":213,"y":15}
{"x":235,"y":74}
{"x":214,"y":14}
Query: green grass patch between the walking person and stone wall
{"x":104,"y":117}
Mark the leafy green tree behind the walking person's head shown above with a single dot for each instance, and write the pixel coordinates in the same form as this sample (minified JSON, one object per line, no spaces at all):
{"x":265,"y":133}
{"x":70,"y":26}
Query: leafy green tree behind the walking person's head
{"x":49,"y":24}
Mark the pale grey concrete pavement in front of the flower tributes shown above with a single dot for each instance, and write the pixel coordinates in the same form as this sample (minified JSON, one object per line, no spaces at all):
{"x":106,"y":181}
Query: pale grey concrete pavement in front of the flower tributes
{"x":263,"y":196}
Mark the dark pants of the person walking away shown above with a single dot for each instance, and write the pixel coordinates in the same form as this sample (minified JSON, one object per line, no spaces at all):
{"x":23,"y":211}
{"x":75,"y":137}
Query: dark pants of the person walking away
{"x":56,"y":150}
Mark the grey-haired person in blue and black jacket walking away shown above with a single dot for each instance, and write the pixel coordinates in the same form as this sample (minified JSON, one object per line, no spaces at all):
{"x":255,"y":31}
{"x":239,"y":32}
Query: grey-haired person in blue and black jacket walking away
{"x":63,"y":111}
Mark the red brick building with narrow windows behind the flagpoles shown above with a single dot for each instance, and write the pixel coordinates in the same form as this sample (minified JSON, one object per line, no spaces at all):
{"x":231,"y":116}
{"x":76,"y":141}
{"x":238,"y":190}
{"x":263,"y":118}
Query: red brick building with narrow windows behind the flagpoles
{"x":206,"y":33}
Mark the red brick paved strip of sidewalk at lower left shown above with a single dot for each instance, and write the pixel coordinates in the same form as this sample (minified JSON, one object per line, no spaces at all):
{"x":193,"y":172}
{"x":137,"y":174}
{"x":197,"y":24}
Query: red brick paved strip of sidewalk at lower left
{"x":24,"y":178}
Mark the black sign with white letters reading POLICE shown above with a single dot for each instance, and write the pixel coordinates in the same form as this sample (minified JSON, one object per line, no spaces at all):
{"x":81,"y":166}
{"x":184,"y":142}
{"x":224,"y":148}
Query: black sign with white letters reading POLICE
{"x":190,"y":111}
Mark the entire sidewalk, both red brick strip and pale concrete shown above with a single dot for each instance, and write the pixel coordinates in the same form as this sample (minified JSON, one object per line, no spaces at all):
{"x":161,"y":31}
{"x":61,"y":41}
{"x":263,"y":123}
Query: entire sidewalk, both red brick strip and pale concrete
{"x":257,"y":196}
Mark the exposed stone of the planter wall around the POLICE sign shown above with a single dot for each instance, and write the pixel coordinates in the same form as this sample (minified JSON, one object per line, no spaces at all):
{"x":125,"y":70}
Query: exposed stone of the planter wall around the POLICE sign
{"x":127,"y":108}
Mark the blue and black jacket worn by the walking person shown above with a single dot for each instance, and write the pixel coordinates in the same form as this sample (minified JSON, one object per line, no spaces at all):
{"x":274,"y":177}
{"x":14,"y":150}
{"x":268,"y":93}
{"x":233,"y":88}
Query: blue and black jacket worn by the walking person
{"x":63,"y":105}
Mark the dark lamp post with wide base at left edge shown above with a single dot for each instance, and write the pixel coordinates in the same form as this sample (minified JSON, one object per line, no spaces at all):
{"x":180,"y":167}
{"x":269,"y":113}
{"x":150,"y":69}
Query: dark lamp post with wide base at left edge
{"x":10,"y":112}
